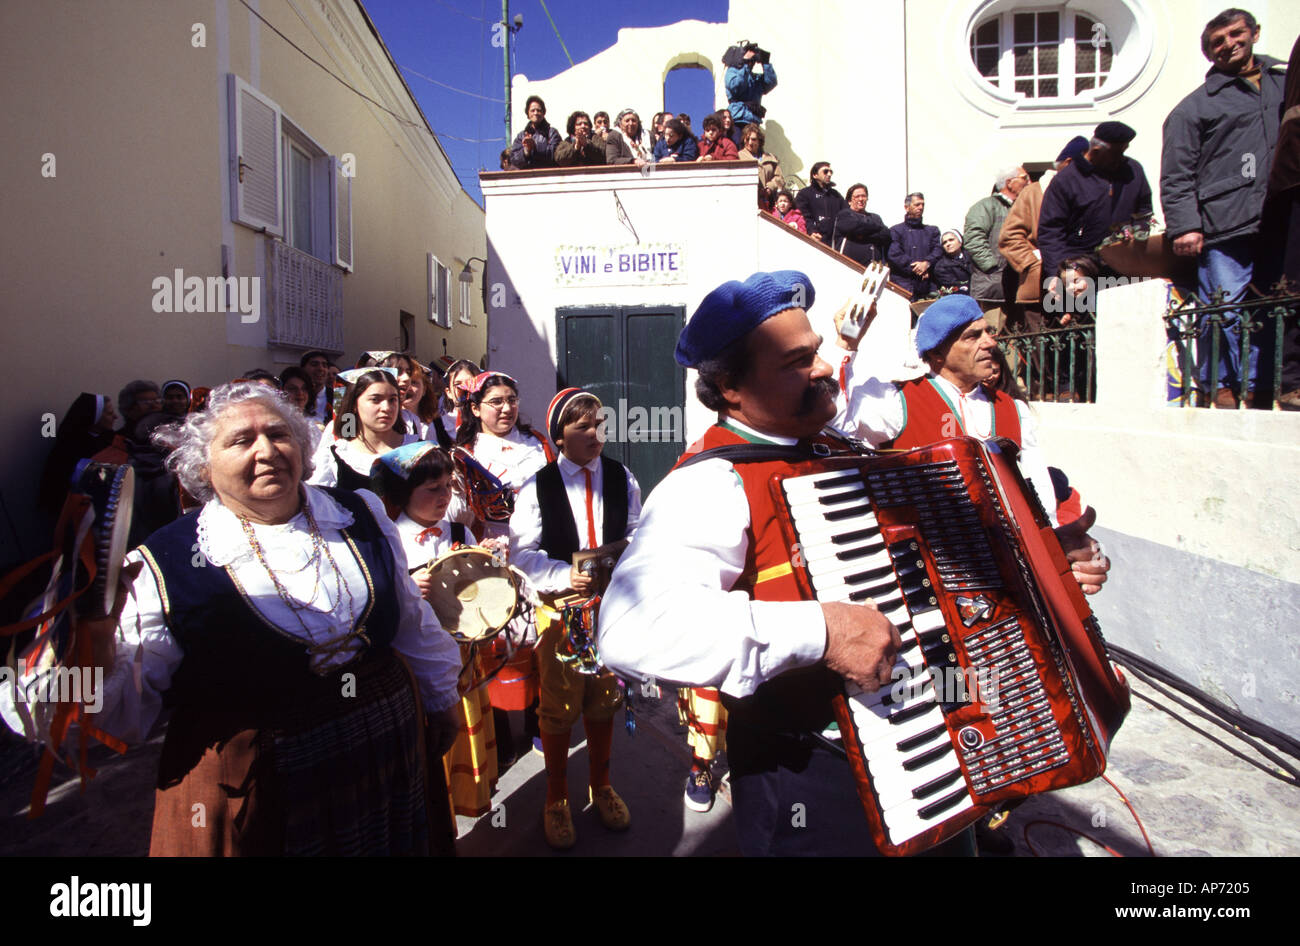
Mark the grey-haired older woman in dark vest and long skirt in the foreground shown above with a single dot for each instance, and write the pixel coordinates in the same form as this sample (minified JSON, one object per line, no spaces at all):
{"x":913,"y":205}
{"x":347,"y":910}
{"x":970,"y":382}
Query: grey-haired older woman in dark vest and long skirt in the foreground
{"x":298,"y":661}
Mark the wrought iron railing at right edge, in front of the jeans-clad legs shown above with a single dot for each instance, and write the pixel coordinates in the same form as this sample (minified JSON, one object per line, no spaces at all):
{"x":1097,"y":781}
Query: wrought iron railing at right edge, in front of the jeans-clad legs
{"x":1207,"y":333}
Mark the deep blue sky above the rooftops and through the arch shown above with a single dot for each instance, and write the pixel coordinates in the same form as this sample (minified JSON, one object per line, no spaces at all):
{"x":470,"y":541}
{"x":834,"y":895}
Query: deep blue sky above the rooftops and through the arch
{"x":449,"y":42}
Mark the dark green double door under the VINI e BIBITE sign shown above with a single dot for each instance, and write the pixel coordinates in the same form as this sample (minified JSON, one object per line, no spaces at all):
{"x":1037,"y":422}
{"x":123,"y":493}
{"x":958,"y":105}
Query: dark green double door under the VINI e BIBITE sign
{"x":623,"y":355}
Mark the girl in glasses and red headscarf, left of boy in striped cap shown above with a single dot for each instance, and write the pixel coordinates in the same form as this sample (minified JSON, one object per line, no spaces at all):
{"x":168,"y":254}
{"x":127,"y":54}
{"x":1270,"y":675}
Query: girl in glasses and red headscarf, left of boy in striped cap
{"x":512,"y":452}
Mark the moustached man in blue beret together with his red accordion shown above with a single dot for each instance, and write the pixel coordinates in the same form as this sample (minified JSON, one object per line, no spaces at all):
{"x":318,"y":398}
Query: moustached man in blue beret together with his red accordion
{"x":716,"y":591}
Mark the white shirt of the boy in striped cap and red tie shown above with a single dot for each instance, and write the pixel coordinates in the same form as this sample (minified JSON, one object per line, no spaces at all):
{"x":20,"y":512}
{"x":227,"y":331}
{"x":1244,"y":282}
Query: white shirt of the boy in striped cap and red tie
{"x":526,"y":526}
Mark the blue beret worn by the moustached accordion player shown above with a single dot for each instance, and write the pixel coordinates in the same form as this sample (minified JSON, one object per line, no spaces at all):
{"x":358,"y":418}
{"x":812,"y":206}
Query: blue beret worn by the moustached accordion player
{"x":736,"y":309}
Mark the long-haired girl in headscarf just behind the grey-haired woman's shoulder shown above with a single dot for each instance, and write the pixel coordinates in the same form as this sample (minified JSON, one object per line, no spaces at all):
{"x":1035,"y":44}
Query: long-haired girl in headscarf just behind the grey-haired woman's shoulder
{"x":366,"y":427}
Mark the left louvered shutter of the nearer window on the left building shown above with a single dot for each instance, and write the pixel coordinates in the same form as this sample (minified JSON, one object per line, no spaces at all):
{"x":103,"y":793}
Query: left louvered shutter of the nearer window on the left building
{"x":257,"y":197}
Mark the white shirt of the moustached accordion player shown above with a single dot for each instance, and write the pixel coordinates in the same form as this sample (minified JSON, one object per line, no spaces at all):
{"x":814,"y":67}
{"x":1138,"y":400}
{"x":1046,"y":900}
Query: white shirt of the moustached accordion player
{"x":669,"y":613}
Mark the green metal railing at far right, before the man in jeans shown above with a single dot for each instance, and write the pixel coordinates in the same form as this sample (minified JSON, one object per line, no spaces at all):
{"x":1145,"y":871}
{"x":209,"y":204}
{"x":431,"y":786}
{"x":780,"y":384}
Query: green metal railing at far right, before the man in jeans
{"x":1199,"y":332}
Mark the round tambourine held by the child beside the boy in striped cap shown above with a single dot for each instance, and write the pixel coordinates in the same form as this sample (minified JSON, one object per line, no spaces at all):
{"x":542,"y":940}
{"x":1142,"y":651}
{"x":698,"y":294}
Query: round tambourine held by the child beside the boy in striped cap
{"x":475,"y":594}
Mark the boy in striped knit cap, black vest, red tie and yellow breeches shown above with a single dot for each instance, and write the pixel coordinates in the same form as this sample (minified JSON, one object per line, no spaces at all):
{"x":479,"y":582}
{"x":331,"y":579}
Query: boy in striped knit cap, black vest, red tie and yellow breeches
{"x":578,"y":502}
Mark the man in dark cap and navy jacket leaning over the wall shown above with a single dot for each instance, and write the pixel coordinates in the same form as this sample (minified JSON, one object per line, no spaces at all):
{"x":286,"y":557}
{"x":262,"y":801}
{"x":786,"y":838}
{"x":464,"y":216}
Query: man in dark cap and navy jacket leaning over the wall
{"x":1098,"y":192}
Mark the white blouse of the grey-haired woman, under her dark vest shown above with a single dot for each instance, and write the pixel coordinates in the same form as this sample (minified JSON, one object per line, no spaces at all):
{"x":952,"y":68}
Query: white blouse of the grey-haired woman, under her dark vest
{"x":131,"y":711}
